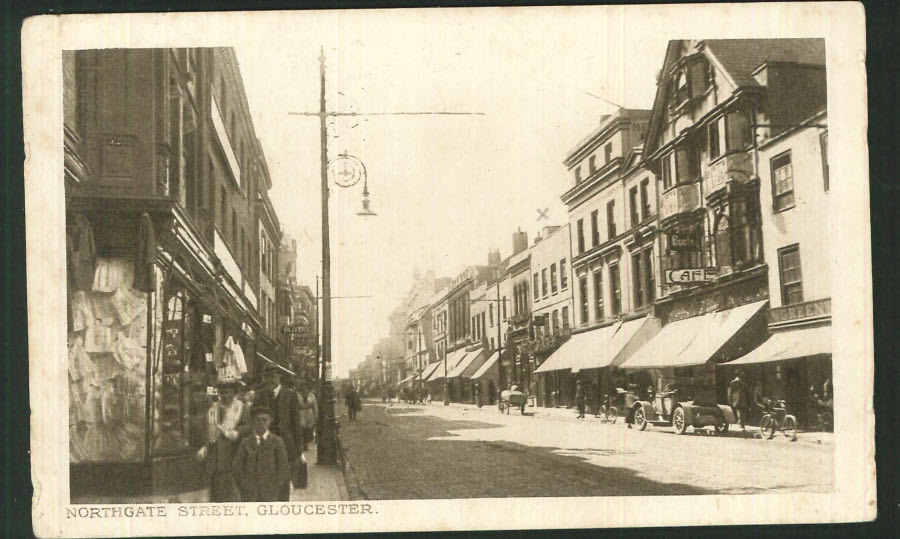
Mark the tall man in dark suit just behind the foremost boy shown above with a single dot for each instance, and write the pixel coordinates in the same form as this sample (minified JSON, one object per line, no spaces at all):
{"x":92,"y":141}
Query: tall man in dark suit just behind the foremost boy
{"x":285,"y":406}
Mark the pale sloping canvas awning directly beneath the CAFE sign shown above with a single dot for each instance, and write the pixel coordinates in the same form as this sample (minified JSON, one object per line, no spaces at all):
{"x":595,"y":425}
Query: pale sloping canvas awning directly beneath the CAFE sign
{"x":692,"y":341}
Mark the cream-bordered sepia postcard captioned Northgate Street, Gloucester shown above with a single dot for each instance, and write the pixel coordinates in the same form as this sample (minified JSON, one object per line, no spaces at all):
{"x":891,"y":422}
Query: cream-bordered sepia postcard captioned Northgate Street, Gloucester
{"x":445,"y":255}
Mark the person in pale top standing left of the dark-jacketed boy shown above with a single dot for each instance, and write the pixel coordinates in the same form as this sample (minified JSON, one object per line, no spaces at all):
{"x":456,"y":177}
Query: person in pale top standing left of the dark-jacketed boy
{"x":229,"y":423}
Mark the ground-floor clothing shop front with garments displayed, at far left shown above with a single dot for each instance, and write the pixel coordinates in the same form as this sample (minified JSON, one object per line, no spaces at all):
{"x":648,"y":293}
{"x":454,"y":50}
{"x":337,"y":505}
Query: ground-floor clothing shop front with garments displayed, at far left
{"x":146,"y":342}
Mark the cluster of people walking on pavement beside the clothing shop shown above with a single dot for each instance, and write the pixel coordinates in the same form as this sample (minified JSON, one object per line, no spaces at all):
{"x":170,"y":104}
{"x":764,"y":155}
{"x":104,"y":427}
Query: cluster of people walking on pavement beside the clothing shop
{"x":257,"y":442}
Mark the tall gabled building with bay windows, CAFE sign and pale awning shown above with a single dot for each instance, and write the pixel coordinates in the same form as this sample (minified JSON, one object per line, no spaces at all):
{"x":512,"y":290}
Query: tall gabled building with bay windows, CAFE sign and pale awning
{"x":713,"y":107}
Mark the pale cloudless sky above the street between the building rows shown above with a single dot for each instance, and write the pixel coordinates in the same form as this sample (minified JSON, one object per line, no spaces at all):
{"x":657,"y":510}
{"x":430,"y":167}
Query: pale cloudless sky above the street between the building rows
{"x":446,"y":189}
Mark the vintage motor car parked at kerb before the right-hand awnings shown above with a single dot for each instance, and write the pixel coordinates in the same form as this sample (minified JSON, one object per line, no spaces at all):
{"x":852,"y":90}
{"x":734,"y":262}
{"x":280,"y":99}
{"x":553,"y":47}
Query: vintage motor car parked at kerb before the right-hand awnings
{"x":683,"y":402}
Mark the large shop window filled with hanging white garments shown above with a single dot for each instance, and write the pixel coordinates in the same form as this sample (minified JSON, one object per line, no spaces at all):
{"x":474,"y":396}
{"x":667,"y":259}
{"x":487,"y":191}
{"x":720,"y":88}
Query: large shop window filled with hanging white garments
{"x":106,"y":361}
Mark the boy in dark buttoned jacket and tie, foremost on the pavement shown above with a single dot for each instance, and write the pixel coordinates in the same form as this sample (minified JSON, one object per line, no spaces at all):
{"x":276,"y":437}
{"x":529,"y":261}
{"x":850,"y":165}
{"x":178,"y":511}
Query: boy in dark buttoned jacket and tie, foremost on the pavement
{"x":260,"y":465}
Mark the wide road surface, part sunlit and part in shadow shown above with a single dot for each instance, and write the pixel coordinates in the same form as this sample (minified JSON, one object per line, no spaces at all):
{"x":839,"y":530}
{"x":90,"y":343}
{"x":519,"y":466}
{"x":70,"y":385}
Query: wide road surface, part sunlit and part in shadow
{"x":400,"y":451}
